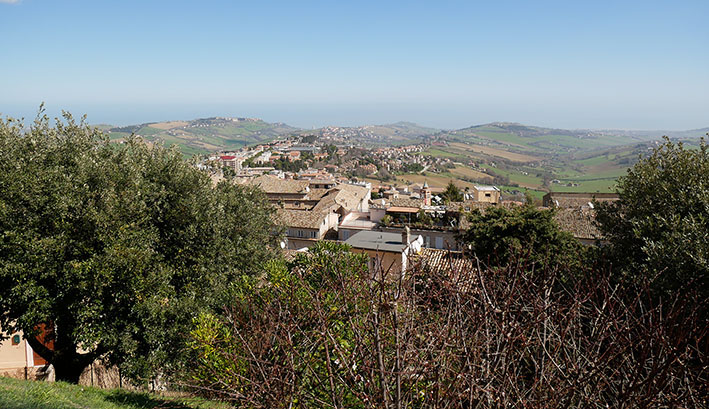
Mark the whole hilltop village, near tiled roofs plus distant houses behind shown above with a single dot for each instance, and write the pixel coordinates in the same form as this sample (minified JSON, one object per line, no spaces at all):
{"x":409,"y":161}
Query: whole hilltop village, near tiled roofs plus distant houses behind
{"x":327,"y":190}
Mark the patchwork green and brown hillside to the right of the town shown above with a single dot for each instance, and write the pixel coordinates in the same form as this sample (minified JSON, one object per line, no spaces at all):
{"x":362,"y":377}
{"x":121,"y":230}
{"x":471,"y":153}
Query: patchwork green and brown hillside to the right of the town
{"x":518,"y":157}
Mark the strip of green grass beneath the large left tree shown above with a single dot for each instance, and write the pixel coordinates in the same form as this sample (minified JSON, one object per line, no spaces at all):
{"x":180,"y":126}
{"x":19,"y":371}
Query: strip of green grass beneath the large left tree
{"x":20,"y":394}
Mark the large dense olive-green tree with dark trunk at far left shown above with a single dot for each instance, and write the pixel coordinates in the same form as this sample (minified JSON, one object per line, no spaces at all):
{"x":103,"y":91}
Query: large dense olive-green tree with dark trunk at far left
{"x":116,"y":247}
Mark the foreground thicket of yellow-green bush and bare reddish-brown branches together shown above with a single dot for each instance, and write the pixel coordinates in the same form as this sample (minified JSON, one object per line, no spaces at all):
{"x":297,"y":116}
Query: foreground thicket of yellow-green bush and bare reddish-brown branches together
{"x":323,"y":333}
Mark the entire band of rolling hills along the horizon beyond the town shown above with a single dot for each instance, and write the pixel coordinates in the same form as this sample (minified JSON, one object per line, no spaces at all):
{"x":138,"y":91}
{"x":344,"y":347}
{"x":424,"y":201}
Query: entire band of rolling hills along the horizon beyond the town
{"x":511,"y":155}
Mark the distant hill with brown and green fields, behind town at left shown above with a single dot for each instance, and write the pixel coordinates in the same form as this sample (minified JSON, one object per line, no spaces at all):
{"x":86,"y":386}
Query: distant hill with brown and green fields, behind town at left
{"x":206,"y":134}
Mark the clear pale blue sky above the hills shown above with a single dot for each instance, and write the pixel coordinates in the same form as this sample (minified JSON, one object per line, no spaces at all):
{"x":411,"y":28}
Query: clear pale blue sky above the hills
{"x":574,"y":64}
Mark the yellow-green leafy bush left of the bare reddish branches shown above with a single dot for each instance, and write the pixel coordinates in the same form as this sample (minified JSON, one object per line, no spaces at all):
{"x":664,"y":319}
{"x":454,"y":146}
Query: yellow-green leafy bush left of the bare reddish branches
{"x":249,"y":356}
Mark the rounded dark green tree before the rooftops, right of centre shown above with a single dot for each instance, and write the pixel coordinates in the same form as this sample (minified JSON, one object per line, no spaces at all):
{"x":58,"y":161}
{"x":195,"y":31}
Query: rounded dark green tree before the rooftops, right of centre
{"x":499,"y":233}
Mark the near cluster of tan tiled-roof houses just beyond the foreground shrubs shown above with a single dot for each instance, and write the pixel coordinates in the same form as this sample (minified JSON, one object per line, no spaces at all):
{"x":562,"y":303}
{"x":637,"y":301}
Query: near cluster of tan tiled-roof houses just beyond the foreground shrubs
{"x":401,"y":220}
